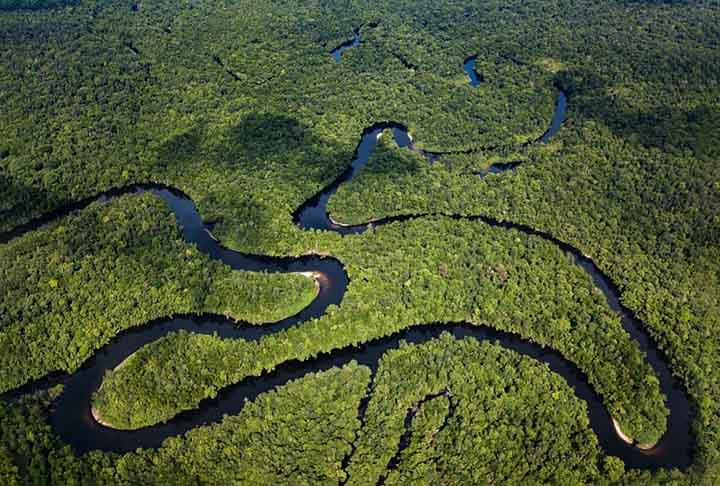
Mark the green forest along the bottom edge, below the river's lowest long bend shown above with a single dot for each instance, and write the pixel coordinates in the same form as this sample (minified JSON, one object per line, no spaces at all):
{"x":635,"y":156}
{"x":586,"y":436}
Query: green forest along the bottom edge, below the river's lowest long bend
{"x":301,"y":433}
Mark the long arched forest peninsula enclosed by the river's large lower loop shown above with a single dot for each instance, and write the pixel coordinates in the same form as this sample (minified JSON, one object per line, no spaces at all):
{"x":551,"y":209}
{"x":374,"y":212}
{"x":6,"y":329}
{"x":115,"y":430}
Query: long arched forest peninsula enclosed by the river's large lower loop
{"x":438,"y":270}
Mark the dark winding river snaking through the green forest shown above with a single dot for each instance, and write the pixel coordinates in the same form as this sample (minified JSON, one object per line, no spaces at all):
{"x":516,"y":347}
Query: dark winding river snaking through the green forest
{"x":71,"y":417}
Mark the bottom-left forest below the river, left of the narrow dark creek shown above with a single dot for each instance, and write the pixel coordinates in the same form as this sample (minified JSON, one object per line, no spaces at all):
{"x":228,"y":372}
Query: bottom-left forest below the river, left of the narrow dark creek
{"x":295,"y":435}
